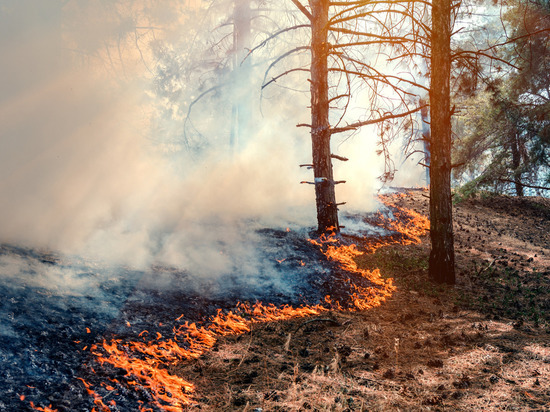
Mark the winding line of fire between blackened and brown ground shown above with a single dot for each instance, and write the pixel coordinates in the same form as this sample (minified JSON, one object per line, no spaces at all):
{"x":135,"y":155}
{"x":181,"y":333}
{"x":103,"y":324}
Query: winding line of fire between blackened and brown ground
{"x":135,"y":374}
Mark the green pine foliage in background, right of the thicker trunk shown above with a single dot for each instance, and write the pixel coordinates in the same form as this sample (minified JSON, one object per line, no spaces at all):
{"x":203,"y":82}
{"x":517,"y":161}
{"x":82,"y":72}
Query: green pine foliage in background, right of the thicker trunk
{"x":504,"y":129}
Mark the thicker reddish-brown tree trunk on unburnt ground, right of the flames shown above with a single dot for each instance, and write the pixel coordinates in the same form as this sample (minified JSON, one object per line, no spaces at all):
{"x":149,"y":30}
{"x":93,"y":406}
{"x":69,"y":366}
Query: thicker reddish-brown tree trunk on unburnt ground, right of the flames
{"x":442,"y":256}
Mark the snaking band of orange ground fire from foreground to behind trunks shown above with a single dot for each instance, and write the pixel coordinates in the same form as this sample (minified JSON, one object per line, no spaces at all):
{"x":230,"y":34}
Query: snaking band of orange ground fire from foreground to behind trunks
{"x":144,"y":365}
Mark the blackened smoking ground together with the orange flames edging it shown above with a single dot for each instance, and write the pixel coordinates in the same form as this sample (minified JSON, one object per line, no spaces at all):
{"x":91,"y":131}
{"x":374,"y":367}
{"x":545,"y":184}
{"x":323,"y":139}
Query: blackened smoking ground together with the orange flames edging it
{"x":103,"y":336}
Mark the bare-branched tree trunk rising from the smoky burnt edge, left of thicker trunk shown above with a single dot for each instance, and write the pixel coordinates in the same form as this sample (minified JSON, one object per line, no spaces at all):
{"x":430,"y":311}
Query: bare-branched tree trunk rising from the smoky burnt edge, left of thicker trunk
{"x":327,"y":213}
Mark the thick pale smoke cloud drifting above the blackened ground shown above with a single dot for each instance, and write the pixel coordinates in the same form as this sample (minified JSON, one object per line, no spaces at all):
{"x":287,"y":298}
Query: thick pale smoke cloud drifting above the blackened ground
{"x":82,"y":171}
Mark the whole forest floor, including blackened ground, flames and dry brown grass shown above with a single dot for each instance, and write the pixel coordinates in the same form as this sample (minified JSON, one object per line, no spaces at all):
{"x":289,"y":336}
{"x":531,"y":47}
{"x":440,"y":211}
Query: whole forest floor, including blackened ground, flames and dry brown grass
{"x":483,"y":345}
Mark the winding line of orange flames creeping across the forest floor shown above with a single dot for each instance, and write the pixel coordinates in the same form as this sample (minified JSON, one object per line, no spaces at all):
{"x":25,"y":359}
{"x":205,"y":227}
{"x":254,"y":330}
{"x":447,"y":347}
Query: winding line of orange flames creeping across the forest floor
{"x":144,"y":361}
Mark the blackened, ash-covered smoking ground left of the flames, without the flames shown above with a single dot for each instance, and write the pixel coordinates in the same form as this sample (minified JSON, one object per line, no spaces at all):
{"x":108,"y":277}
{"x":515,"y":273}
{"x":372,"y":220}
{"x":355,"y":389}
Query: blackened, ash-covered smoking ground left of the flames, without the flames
{"x":55,"y":307}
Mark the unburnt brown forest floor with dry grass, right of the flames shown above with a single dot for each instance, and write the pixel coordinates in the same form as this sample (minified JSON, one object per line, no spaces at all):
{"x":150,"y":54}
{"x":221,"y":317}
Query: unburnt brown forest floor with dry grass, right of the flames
{"x":482,"y":345}
